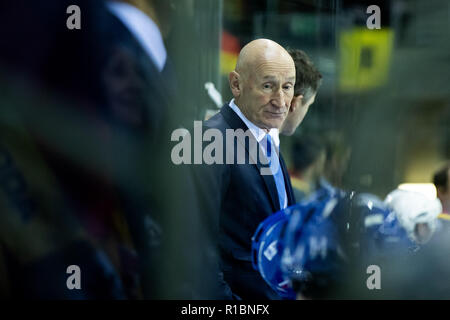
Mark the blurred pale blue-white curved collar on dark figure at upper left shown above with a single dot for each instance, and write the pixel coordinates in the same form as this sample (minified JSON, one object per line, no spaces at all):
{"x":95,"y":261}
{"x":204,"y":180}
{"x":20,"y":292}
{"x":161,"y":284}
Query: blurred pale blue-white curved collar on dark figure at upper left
{"x":143,"y":29}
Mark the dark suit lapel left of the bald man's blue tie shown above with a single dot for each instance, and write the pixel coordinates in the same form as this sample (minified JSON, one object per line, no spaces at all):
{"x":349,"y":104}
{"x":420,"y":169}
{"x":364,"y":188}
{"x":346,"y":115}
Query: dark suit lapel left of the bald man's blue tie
{"x":236,"y":122}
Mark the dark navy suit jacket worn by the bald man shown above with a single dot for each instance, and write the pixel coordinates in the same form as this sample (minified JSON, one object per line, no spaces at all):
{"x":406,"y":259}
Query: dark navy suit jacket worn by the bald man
{"x":237,"y":198}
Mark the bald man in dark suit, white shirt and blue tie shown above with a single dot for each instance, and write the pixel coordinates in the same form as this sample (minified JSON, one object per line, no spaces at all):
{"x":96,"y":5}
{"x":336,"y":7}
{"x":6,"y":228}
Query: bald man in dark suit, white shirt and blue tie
{"x":237,"y":196}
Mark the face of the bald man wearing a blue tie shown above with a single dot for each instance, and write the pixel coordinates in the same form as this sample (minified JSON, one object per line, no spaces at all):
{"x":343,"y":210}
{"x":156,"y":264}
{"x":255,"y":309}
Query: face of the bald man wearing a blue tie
{"x":266,"y":93}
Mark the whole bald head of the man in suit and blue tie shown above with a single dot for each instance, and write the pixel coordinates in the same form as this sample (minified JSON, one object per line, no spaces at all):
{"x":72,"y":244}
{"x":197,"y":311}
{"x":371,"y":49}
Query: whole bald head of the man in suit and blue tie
{"x":263,"y":83}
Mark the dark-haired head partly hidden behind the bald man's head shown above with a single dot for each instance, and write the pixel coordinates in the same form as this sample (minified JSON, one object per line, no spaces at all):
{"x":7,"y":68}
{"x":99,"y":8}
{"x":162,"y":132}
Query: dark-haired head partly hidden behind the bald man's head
{"x":308,"y":81}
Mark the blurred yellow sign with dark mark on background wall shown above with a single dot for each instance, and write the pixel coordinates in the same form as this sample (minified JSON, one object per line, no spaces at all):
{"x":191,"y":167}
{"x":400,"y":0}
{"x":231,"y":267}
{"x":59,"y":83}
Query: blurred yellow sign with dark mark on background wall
{"x":364,"y":58}
